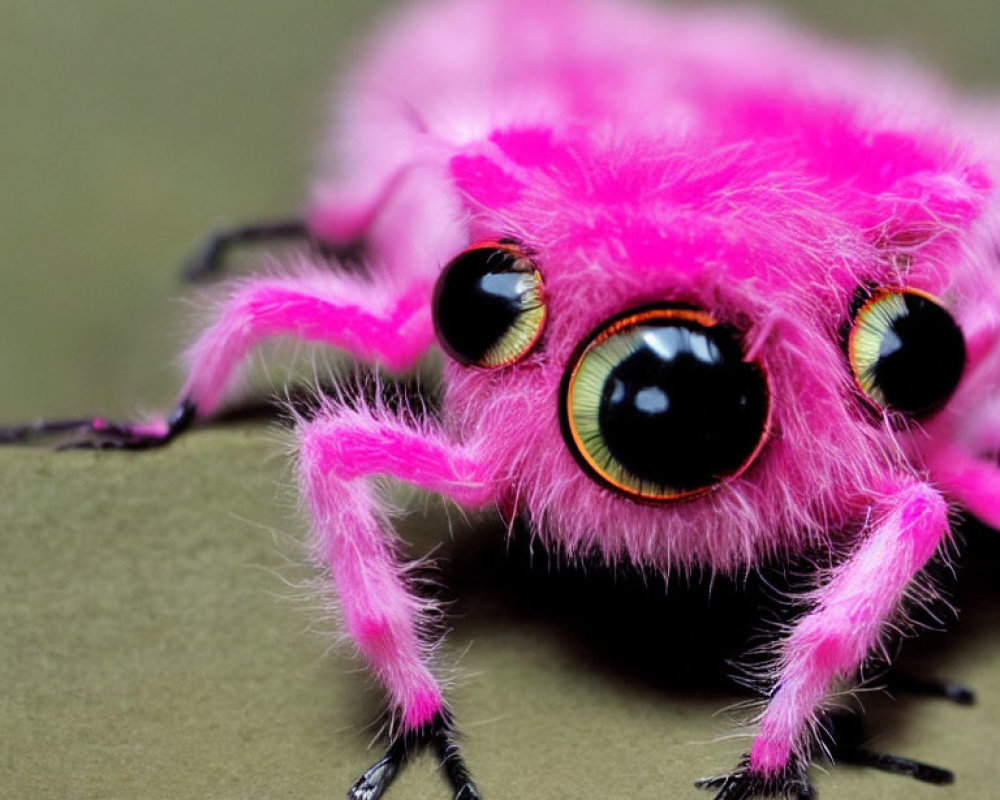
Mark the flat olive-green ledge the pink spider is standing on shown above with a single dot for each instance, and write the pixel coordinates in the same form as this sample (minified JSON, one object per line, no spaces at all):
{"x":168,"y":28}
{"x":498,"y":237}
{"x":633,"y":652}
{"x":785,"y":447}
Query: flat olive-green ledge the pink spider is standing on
{"x":161,"y":639}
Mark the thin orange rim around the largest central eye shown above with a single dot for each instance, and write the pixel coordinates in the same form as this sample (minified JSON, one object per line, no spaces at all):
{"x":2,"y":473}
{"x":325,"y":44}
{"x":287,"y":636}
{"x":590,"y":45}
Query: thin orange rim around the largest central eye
{"x":628,"y":319}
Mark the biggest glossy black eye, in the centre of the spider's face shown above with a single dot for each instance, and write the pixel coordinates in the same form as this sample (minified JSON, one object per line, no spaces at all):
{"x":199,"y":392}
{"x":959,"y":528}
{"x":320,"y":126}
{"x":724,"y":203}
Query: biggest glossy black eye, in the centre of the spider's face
{"x":660,"y":404}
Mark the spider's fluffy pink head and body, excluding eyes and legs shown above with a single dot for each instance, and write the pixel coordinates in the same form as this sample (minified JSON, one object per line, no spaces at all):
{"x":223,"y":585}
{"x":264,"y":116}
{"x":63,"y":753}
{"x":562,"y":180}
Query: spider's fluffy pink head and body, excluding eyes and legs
{"x":710,"y":158}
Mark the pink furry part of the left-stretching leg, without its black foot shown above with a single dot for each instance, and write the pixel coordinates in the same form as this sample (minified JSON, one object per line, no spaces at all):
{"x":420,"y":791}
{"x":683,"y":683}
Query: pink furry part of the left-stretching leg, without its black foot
{"x":364,"y":319}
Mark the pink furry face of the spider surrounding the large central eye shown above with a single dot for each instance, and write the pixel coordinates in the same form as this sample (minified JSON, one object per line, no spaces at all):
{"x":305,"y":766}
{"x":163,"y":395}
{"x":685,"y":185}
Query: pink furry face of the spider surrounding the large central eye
{"x":761,"y":251}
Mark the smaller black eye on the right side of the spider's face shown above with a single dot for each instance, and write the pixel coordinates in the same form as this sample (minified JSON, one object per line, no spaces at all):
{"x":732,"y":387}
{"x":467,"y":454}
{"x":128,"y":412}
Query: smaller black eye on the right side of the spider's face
{"x":906,"y":352}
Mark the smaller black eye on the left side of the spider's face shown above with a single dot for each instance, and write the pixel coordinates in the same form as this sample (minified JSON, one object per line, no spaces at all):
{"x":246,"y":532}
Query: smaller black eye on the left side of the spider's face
{"x":489,"y":309}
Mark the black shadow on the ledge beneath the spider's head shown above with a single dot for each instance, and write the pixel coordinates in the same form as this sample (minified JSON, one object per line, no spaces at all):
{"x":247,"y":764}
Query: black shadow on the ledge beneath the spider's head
{"x":697,"y":633}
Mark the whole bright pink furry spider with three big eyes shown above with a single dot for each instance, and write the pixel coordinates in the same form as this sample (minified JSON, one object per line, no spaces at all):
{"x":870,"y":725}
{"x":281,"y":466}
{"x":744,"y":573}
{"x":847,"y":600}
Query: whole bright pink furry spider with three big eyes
{"x":713,"y":294}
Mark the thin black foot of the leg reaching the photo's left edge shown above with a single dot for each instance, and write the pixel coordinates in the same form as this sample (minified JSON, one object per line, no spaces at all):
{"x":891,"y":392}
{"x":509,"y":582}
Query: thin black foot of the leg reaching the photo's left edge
{"x":96,"y":433}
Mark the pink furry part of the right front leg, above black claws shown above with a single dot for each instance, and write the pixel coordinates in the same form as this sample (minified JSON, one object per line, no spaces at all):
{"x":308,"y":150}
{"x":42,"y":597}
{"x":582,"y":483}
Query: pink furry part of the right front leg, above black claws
{"x":851,"y":612}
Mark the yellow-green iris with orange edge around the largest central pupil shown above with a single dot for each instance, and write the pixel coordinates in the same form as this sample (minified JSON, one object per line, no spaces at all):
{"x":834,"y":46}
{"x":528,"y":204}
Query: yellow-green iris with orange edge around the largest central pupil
{"x":585,"y":386}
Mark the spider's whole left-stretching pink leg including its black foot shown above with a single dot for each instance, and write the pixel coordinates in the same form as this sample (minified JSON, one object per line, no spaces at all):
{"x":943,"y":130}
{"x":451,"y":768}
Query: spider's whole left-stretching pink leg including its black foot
{"x":367,"y":321}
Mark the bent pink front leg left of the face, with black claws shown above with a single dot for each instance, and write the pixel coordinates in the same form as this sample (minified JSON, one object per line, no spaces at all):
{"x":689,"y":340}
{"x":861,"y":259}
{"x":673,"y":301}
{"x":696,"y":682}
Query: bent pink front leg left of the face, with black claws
{"x":338,"y":455}
